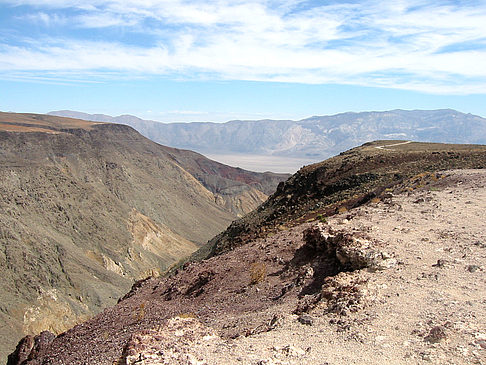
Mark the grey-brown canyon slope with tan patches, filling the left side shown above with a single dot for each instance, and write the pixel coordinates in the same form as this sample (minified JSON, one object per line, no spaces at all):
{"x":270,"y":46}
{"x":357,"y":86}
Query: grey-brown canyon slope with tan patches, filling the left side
{"x":87,"y":208}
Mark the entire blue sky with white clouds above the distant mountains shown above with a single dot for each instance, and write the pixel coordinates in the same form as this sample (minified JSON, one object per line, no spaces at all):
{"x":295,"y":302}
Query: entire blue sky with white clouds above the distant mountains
{"x":175,"y":60}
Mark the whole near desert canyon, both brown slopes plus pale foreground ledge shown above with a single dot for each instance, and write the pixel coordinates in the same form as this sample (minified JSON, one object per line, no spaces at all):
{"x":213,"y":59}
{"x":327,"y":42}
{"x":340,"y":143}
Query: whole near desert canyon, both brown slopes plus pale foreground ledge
{"x":116,"y":249}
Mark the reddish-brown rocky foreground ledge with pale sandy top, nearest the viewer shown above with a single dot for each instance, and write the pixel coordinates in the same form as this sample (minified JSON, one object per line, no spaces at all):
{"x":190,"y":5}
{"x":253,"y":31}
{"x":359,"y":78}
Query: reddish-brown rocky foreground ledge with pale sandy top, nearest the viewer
{"x":400,"y":280}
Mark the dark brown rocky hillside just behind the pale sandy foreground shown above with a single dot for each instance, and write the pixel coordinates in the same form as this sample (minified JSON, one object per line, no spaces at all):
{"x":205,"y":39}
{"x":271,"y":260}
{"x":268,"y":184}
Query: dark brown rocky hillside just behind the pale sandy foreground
{"x":343,"y":182}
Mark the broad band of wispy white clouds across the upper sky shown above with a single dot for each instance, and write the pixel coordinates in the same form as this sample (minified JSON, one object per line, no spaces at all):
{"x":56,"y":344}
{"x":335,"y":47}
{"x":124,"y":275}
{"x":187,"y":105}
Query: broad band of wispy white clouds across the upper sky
{"x":411,"y":44}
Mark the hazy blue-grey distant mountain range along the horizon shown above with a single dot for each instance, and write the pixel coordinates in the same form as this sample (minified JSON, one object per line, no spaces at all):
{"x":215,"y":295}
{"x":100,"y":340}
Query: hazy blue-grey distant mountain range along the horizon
{"x":314,"y":138}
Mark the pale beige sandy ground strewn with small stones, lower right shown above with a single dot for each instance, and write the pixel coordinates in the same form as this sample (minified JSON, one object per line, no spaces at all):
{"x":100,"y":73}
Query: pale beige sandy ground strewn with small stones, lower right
{"x":428,"y":308}
